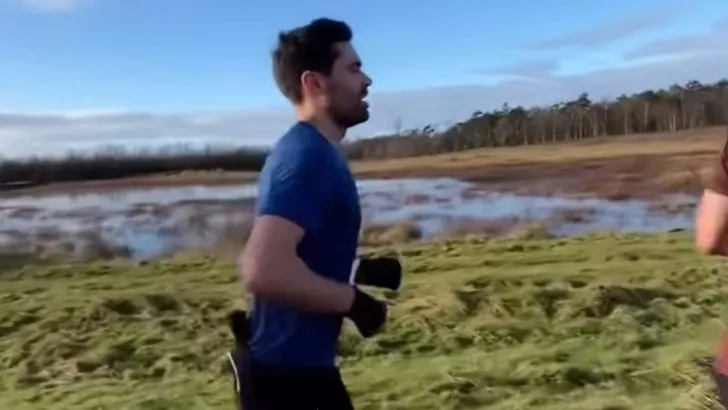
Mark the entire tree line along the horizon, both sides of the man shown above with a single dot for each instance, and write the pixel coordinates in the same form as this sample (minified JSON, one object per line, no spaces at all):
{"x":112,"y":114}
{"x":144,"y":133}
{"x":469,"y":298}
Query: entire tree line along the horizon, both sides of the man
{"x":679,"y":107}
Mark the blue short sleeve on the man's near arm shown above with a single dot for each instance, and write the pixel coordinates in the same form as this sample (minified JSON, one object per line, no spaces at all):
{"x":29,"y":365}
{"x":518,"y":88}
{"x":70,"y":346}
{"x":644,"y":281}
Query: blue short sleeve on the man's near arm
{"x":295,"y":188}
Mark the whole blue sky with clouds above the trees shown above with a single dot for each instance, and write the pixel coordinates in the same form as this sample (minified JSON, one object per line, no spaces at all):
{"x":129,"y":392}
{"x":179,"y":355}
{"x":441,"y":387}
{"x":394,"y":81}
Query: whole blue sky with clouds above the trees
{"x":81,"y":74}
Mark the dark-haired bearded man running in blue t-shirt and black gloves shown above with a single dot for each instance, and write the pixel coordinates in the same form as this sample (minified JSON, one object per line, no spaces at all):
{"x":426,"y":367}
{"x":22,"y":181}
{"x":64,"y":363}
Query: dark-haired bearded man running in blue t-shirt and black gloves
{"x":298,"y":261}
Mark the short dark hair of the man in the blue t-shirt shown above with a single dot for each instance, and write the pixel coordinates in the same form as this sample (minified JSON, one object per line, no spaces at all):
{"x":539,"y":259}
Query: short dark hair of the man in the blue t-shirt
{"x":307,"y":48}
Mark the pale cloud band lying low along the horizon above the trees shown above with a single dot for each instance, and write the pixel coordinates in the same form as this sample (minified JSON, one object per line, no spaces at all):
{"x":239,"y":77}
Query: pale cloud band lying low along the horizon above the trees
{"x":24,"y":134}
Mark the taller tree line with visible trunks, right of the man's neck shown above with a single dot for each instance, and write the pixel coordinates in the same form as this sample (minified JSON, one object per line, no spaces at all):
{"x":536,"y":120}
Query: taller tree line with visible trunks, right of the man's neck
{"x":679,"y":107}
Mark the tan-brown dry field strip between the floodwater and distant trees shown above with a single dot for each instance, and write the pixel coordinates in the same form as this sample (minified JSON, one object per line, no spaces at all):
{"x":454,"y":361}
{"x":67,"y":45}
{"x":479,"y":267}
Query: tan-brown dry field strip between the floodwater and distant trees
{"x":611,"y":167}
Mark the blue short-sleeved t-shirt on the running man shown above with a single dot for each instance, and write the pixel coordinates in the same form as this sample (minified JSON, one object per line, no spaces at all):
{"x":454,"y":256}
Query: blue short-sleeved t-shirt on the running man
{"x":307,"y":180}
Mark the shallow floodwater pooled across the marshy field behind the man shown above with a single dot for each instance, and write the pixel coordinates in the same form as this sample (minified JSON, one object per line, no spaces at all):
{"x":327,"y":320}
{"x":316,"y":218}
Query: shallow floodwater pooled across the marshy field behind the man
{"x":149,"y":222}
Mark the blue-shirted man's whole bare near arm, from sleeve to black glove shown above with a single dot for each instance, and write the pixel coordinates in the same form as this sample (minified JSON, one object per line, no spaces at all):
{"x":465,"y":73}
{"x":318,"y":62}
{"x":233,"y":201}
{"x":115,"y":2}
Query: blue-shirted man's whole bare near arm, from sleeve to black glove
{"x":271,"y":269}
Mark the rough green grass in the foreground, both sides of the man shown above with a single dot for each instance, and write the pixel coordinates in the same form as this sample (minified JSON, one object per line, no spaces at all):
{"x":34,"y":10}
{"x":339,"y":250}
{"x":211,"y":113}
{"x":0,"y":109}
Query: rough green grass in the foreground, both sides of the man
{"x":599,"y":322}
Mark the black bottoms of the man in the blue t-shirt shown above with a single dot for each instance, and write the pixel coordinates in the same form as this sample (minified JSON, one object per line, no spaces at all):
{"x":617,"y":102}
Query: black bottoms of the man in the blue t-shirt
{"x":259,"y":387}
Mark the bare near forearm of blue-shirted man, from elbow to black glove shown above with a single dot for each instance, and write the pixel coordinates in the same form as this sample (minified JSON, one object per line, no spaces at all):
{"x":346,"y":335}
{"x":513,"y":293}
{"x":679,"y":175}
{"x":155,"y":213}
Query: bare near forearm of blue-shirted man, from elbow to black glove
{"x":295,"y":284}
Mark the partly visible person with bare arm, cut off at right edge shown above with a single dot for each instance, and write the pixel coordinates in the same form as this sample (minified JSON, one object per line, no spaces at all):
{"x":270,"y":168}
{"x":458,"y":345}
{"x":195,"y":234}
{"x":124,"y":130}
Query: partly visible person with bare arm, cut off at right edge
{"x":711,"y":238}
